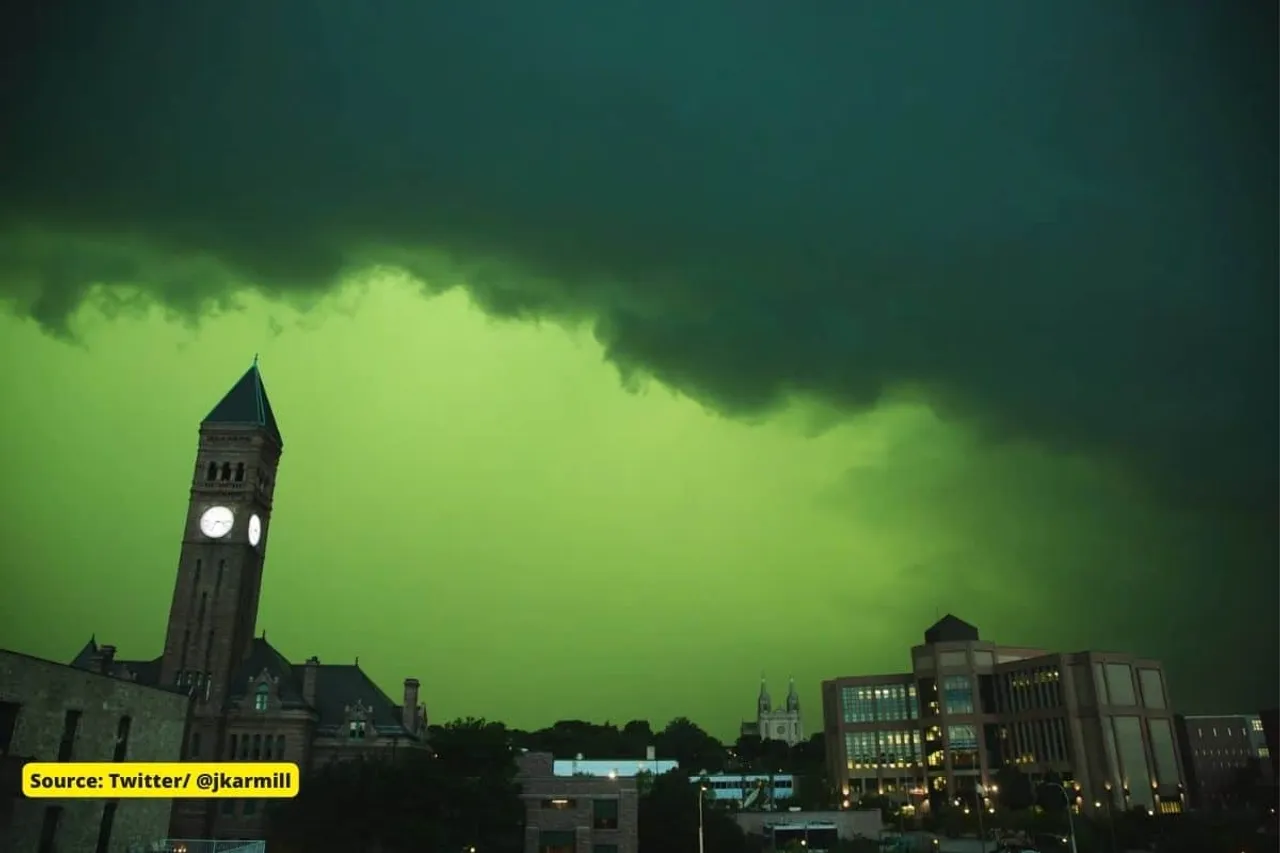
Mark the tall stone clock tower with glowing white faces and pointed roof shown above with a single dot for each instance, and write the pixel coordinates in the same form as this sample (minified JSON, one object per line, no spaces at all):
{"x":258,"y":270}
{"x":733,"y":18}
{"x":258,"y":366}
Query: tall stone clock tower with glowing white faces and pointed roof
{"x":225,"y":540}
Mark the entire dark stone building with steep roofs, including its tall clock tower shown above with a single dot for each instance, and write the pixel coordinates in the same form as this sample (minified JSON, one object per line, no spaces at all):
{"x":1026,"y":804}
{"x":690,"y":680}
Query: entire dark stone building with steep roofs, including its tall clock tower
{"x":250,"y":701}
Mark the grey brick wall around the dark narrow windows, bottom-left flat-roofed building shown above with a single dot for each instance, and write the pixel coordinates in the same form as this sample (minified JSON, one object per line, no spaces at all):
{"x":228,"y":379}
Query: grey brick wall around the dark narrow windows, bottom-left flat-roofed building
{"x":47,"y":692}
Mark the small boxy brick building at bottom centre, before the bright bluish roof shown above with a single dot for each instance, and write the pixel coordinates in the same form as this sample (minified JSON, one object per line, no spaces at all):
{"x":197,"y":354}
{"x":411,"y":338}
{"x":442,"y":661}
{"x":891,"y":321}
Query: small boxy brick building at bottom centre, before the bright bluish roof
{"x":569,"y":813}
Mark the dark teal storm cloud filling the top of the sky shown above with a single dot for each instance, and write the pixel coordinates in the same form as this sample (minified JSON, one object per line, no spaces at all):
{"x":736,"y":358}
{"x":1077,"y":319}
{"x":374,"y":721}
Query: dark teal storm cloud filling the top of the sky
{"x":1059,"y":217}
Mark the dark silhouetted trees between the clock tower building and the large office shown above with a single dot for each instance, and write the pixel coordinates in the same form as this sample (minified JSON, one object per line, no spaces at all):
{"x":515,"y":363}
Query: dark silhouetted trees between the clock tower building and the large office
{"x":464,"y":793}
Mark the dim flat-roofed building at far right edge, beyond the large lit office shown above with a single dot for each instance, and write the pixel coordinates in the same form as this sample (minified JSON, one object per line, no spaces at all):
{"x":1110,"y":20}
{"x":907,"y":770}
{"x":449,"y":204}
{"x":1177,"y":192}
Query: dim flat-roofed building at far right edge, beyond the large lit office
{"x":1226,"y":758}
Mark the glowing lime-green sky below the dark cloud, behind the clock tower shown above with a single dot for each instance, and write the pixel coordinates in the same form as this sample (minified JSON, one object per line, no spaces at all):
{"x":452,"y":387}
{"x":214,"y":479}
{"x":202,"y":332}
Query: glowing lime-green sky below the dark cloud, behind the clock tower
{"x":484,"y":507}
